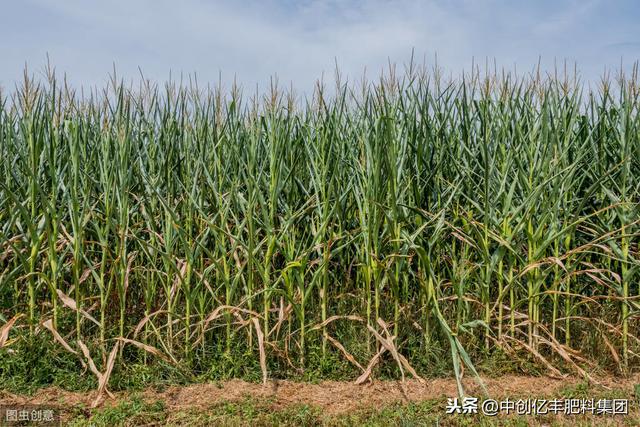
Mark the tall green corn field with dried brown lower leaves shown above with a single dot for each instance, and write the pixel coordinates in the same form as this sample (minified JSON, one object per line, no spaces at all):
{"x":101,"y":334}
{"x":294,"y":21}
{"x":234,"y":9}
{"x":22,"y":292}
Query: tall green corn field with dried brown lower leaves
{"x":450,"y":217}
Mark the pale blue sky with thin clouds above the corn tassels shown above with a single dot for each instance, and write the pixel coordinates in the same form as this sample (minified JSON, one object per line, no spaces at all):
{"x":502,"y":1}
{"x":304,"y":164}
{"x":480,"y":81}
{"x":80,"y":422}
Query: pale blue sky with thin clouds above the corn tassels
{"x":301,"y":40}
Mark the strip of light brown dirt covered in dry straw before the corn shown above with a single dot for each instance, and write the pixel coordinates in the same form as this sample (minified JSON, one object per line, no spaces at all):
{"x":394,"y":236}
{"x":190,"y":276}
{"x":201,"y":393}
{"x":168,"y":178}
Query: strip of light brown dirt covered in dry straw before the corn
{"x":333,"y":397}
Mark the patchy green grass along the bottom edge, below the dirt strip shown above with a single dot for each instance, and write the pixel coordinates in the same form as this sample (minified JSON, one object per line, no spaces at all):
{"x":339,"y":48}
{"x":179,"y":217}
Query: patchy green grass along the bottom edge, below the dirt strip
{"x":256,"y":412}
